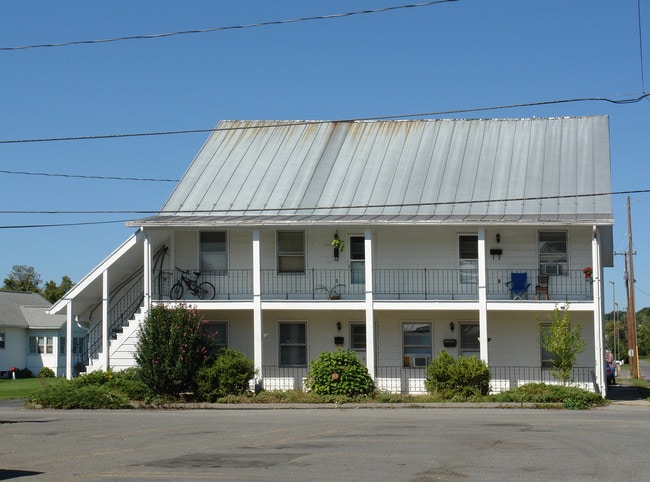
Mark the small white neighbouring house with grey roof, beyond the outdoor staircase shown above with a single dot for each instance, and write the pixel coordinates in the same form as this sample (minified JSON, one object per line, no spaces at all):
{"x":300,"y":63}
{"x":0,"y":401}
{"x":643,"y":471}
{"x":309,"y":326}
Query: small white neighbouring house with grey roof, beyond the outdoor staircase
{"x":32,"y":339}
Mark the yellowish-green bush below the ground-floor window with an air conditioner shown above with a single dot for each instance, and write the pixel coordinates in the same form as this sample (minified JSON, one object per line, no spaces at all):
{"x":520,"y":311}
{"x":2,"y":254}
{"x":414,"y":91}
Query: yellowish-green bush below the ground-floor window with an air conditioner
{"x":457,"y":379}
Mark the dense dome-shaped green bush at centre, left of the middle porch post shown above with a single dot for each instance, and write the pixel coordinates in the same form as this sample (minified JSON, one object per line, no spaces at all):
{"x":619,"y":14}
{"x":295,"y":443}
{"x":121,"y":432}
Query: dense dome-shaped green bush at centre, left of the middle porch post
{"x":339,"y":373}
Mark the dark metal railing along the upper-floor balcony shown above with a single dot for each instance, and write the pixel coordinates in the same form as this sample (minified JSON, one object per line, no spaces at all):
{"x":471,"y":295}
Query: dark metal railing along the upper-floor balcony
{"x":388,"y":284}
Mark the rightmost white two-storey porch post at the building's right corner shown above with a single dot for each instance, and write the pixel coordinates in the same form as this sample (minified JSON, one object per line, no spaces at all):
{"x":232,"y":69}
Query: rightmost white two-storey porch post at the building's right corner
{"x":599,"y":334}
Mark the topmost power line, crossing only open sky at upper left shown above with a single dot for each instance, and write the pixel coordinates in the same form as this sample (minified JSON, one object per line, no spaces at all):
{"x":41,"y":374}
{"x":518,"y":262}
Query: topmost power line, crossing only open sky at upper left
{"x":219,"y":29}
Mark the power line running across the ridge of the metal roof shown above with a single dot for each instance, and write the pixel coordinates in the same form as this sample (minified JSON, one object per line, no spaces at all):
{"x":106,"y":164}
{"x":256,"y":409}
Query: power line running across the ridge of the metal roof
{"x":631,"y":100}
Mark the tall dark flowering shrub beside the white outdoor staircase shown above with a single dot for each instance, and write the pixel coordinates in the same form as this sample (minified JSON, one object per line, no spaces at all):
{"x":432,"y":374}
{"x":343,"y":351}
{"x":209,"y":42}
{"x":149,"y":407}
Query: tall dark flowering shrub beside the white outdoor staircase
{"x":172,"y":347}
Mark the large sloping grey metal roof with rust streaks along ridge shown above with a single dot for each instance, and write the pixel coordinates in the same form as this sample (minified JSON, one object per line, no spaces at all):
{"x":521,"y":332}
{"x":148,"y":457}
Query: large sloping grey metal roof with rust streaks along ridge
{"x":554,"y":170}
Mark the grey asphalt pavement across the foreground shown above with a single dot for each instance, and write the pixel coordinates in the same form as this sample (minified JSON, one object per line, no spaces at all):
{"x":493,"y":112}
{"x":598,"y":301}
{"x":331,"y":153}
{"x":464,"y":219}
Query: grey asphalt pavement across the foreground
{"x":361,"y":443}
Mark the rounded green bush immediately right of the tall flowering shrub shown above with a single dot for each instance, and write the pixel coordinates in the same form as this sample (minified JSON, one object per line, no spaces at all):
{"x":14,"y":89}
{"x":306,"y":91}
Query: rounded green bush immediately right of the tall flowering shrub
{"x":229,"y":374}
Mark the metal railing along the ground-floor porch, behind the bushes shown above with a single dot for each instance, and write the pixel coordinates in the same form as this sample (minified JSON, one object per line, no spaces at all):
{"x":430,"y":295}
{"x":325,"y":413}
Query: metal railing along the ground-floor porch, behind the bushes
{"x":396,"y":379}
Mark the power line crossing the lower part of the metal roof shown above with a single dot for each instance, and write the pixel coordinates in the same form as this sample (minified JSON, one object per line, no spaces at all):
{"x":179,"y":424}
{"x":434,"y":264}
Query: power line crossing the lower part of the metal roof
{"x":328,"y":208}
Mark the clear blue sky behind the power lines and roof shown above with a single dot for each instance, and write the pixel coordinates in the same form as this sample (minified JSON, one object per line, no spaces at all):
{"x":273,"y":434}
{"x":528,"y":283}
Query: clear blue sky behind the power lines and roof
{"x":456,"y":55}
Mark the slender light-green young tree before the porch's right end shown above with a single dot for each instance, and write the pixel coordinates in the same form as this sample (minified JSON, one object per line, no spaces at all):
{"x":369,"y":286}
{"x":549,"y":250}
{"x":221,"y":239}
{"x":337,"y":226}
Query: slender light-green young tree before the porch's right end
{"x":564,"y":341}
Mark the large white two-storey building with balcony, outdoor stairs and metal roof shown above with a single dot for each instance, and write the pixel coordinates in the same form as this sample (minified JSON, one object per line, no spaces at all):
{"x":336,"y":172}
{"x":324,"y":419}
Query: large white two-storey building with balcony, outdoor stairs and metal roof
{"x":440,"y":222}
